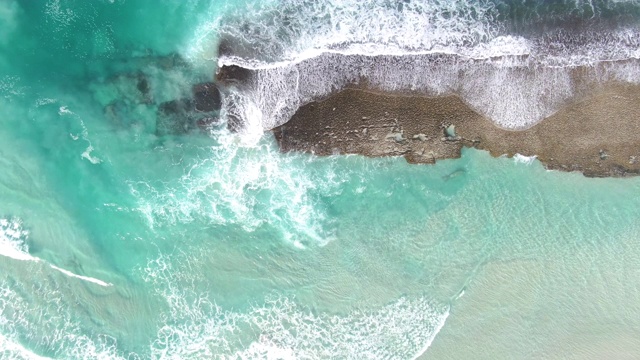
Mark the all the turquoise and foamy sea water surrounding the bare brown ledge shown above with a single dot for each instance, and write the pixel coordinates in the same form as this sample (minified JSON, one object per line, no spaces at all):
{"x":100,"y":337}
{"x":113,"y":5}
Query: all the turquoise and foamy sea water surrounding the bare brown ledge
{"x":124,"y":237}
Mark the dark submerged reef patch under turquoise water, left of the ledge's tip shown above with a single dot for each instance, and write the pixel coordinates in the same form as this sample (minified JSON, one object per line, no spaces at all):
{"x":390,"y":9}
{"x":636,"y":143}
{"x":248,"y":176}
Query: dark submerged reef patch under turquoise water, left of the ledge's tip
{"x":146,"y":87}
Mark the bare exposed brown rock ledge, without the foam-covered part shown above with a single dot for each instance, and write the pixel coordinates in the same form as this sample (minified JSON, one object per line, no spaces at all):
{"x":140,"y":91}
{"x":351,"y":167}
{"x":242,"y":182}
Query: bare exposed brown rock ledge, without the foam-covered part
{"x":598,"y":135}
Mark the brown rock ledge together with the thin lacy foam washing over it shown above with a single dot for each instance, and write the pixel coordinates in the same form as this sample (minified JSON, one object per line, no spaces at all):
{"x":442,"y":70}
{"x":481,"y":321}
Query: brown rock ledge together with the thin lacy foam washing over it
{"x":428,"y":107}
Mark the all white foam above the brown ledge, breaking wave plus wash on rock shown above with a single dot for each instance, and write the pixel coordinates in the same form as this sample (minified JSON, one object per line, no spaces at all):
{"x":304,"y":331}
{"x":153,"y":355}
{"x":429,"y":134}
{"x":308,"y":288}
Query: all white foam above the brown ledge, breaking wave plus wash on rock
{"x":303,"y":50}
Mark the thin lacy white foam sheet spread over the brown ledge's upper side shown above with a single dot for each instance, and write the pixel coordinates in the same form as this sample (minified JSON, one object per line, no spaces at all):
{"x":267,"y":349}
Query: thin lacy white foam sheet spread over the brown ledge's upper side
{"x":512,"y":96}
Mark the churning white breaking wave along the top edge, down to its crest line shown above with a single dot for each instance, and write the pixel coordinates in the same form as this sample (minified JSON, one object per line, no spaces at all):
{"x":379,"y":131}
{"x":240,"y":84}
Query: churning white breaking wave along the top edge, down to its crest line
{"x":285,"y":32}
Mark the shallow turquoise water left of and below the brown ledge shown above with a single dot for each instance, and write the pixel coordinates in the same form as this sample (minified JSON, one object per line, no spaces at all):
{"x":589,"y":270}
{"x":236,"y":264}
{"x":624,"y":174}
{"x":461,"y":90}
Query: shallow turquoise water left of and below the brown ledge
{"x":118,"y":241}
